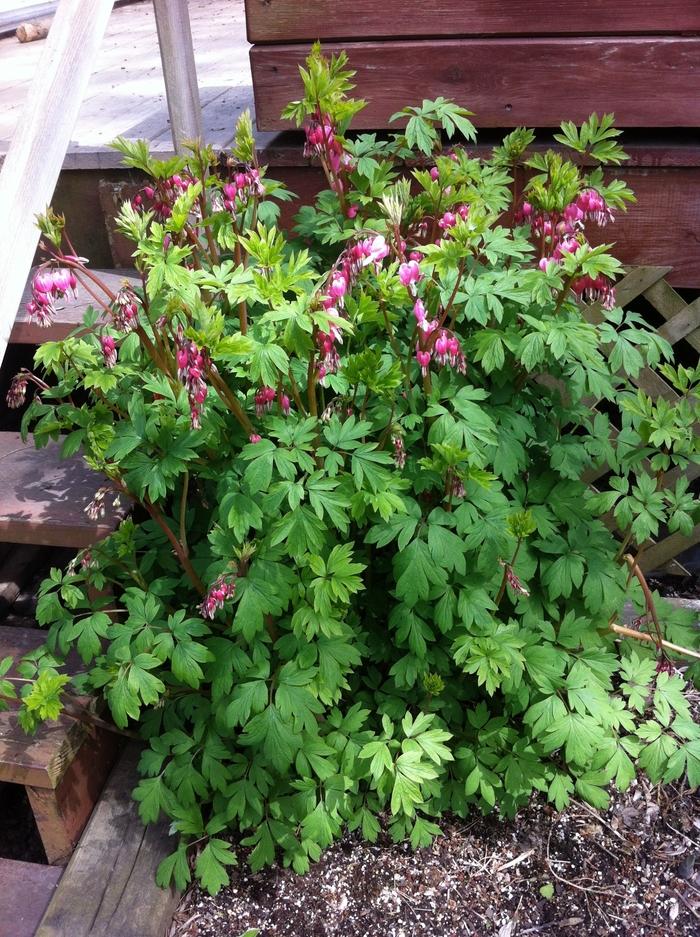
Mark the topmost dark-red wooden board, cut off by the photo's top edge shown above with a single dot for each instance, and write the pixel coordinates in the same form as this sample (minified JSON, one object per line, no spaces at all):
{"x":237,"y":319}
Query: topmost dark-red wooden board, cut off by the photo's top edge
{"x":295,"y":21}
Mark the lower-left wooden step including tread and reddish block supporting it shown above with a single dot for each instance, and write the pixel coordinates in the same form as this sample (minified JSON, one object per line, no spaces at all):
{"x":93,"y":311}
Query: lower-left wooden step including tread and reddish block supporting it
{"x":63,"y":766}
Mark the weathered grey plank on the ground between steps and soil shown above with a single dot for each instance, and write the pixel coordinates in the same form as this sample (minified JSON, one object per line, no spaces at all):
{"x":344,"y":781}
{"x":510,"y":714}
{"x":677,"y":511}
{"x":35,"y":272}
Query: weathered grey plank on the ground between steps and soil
{"x":108,"y":887}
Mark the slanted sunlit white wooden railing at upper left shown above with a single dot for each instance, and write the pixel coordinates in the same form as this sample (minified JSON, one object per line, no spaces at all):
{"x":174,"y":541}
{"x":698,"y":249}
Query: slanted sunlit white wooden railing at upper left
{"x":38,"y":147}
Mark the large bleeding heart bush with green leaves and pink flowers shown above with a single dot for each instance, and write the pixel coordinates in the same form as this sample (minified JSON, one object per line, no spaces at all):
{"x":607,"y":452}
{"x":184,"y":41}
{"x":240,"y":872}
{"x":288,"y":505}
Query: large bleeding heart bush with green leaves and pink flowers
{"x":364,"y":576}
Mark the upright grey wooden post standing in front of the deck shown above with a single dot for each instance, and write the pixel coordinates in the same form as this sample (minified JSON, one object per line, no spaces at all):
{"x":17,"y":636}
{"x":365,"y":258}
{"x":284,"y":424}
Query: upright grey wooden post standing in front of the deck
{"x":179,"y":71}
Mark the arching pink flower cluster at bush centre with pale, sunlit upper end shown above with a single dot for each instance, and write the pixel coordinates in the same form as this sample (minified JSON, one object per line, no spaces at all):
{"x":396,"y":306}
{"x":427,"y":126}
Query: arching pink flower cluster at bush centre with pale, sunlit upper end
{"x":369,"y":251}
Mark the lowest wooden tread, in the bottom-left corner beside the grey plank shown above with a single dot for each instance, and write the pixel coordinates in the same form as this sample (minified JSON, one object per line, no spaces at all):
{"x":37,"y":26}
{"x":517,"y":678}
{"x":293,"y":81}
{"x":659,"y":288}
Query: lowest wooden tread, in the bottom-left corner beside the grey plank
{"x":25,"y":891}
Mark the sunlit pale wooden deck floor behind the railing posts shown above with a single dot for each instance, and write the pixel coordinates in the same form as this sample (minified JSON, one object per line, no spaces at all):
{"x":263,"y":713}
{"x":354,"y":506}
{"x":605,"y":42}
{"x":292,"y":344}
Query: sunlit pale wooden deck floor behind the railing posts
{"x":126,"y":94}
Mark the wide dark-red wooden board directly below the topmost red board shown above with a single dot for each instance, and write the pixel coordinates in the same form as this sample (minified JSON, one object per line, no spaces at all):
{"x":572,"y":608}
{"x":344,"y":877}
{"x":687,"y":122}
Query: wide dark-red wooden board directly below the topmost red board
{"x":506,"y":82}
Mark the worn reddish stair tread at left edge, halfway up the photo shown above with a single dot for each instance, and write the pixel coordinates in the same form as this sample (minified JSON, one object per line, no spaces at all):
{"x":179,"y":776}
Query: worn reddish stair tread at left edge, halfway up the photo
{"x":43,"y":497}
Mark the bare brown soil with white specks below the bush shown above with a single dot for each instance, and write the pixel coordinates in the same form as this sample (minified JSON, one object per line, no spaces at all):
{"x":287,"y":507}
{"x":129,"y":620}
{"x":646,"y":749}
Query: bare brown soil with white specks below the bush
{"x":632,"y":871}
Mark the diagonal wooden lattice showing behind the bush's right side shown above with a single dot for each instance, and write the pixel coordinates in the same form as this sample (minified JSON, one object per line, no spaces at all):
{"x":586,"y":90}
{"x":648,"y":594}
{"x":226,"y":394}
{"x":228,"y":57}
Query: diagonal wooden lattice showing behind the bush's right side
{"x":682,"y":324}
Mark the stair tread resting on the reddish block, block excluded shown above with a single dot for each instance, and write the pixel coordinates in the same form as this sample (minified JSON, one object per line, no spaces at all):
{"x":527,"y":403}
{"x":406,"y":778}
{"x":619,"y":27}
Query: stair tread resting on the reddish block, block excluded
{"x":38,"y":760}
